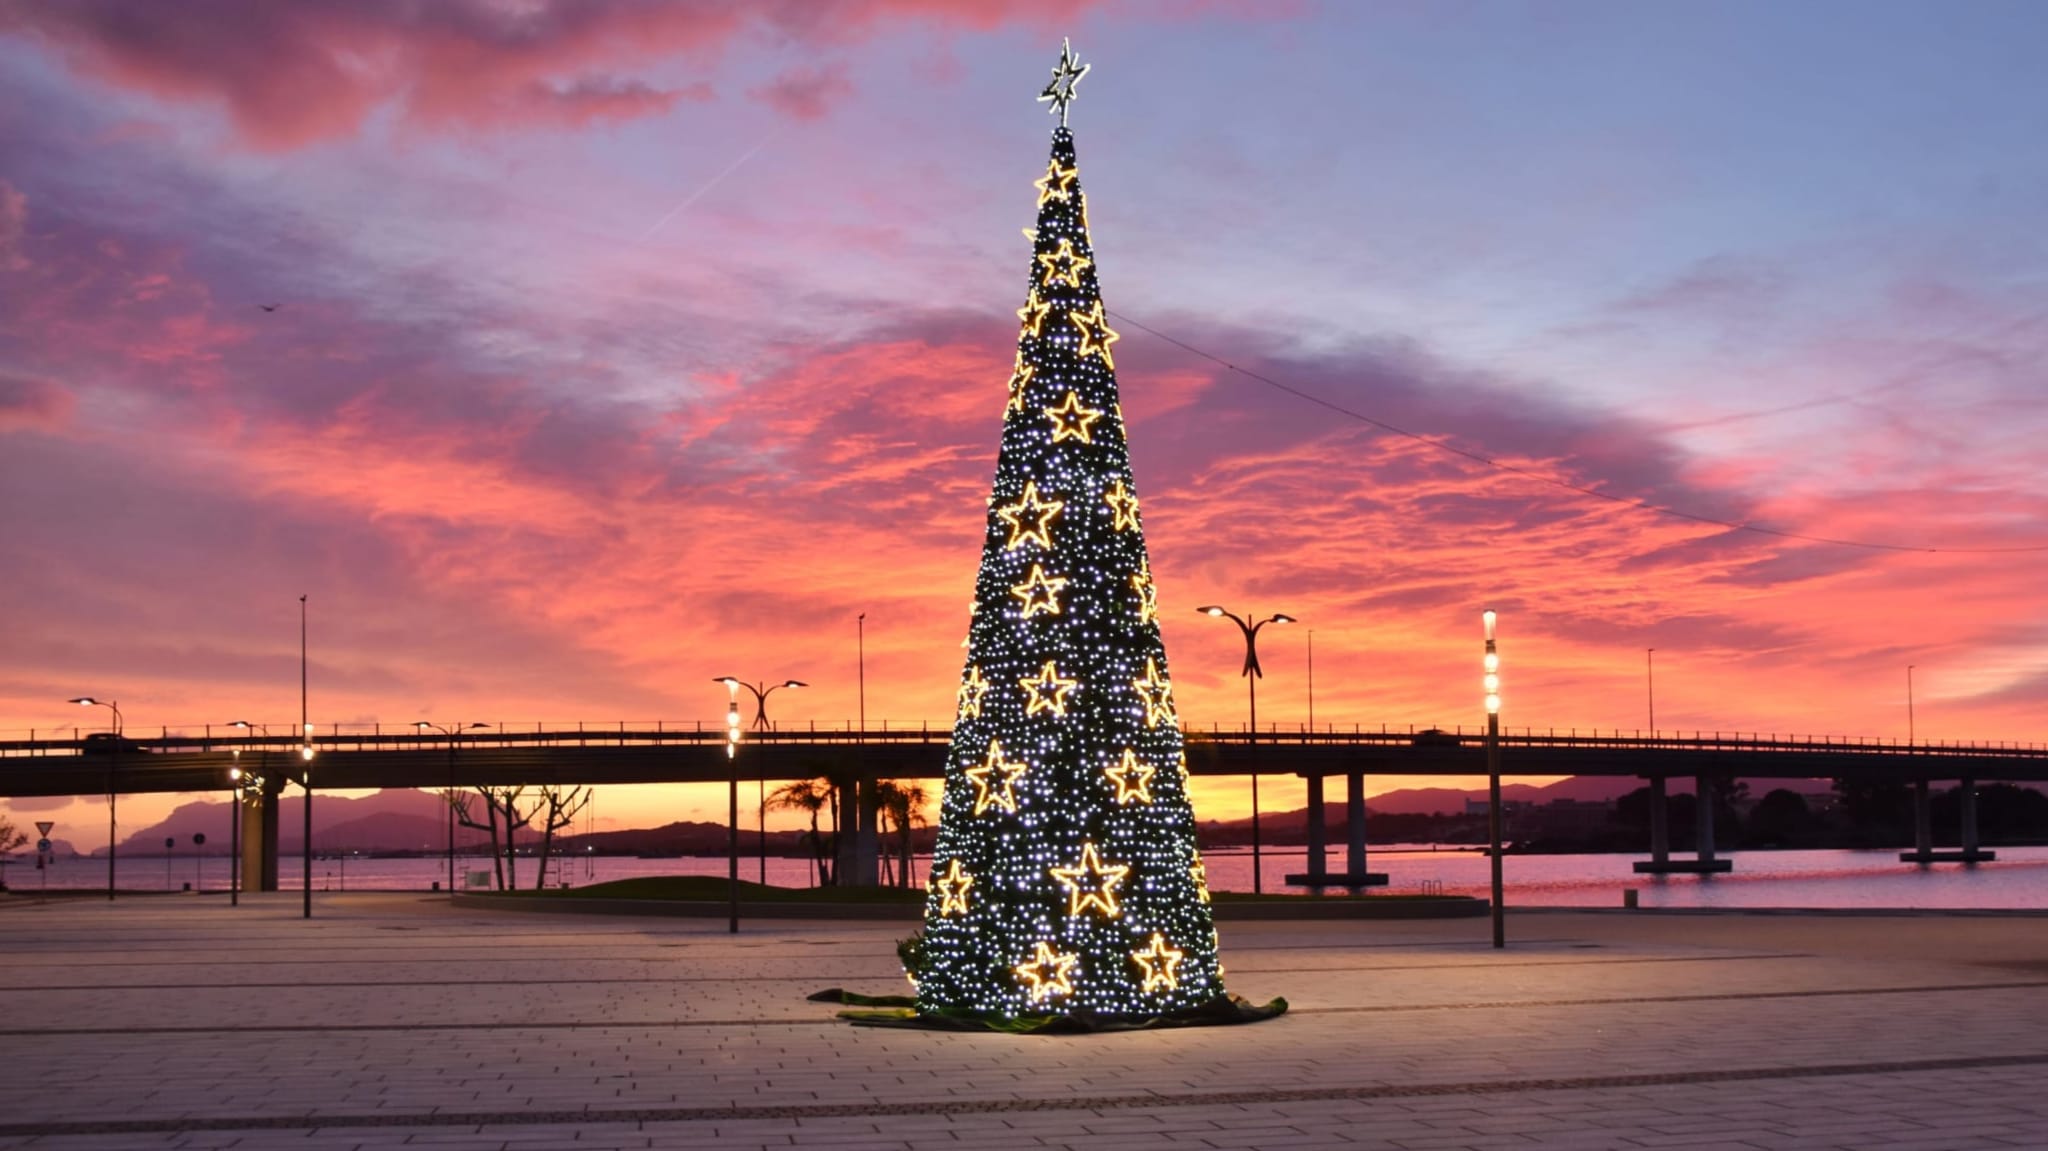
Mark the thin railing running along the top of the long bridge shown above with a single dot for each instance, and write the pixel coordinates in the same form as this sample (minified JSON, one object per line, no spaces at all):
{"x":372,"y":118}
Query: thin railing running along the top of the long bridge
{"x":544,"y":734}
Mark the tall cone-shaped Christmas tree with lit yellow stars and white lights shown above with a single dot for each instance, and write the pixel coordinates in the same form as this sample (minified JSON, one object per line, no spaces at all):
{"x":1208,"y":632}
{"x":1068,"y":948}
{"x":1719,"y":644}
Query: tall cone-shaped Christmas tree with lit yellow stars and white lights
{"x":1066,"y":878}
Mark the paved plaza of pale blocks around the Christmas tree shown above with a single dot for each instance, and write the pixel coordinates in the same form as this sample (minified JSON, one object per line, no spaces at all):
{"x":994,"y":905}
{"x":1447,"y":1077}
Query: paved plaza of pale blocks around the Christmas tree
{"x":396,"y":1021}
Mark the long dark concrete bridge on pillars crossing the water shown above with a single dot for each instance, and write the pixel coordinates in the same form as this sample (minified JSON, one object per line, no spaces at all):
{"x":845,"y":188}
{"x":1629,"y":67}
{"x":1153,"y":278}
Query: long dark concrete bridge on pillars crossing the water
{"x":638,"y":755}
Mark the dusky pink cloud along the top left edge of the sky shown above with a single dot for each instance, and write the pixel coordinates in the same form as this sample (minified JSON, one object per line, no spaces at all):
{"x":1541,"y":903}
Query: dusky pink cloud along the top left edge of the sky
{"x":296,"y":75}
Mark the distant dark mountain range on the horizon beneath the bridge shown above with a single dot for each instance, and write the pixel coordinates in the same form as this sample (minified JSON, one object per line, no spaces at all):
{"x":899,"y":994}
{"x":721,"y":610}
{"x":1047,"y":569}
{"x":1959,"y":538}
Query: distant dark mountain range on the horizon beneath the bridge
{"x":394,"y":822}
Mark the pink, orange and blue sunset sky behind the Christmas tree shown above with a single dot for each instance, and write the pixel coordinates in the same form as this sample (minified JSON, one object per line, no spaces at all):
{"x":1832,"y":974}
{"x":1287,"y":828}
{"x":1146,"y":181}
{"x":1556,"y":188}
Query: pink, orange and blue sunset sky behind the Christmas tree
{"x":628,"y":345}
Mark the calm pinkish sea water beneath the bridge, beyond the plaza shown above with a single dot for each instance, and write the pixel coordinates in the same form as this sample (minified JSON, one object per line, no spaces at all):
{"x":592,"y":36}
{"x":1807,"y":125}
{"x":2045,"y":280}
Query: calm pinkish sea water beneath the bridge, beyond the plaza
{"x":1760,"y":880}
